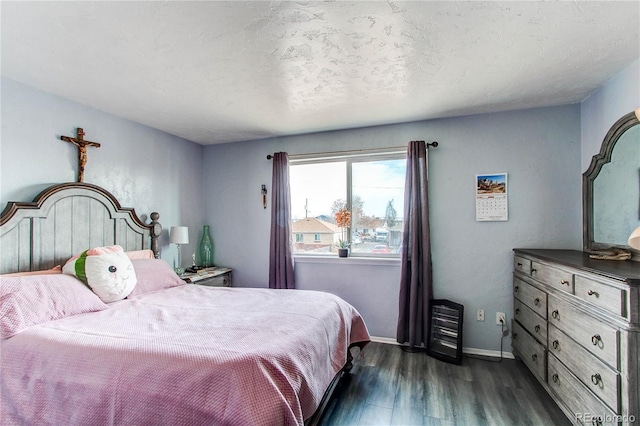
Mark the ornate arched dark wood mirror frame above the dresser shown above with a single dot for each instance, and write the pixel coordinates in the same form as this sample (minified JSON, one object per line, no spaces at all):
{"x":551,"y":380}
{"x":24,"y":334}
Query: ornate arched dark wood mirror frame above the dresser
{"x":603,"y":157}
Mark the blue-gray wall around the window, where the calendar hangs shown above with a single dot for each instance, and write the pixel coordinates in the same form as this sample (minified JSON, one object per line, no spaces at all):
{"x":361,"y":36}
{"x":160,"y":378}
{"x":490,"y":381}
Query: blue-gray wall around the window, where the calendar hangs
{"x":538,"y":148}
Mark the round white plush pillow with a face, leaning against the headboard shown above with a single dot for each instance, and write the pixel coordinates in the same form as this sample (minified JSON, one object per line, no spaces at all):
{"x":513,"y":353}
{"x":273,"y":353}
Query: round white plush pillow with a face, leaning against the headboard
{"x":107,"y":271}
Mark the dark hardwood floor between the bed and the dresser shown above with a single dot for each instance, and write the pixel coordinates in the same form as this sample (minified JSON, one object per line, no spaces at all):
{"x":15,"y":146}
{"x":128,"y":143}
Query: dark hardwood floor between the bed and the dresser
{"x":389,"y":386}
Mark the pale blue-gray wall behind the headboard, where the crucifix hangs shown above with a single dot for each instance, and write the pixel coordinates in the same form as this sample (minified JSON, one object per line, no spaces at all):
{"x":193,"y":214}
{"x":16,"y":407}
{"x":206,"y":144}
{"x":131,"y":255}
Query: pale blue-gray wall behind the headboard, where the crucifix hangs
{"x":143,"y":167}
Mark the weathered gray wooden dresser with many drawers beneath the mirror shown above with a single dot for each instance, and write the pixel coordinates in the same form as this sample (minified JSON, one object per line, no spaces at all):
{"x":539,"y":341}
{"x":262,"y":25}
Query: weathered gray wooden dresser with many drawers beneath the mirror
{"x":577,"y":328}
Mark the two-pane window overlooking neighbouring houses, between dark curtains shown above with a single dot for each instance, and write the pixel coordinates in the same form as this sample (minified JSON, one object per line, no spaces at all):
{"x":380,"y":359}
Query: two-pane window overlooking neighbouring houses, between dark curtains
{"x":370,"y":185}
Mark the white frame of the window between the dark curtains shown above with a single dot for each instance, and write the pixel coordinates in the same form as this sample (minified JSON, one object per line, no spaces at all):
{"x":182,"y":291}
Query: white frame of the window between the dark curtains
{"x":350,"y":157}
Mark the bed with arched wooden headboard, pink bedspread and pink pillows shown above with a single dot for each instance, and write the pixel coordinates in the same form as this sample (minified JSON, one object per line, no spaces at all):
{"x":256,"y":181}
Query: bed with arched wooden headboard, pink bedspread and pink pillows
{"x":169,"y":353}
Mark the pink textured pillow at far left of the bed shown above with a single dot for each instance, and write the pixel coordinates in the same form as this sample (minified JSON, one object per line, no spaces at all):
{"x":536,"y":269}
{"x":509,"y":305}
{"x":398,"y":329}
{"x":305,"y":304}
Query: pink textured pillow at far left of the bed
{"x":36,"y":299}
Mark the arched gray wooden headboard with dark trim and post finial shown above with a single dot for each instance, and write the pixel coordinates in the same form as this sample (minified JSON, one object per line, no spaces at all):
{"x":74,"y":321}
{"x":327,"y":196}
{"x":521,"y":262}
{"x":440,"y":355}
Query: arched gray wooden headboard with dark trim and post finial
{"x":63,"y":220}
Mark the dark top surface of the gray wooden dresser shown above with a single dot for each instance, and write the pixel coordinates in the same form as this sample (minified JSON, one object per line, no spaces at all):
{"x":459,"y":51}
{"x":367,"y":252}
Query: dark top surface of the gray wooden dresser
{"x":623,"y":270}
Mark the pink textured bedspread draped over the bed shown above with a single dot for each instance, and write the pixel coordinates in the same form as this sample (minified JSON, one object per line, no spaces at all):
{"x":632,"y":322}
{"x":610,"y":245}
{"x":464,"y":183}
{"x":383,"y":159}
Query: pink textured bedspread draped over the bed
{"x":188,"y":355}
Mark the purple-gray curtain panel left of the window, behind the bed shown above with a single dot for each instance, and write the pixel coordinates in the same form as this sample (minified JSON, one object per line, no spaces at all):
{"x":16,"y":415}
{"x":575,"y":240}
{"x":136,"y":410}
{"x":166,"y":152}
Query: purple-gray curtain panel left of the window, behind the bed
{"x":280,"y":252}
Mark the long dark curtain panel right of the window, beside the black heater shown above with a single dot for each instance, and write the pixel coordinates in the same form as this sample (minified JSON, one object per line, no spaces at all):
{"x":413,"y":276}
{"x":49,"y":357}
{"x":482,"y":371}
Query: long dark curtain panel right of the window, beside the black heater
{"x":416,"y":274}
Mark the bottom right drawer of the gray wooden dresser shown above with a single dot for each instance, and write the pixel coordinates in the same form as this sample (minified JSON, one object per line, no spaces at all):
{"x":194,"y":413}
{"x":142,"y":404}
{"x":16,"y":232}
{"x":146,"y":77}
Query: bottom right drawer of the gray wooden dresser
{"x":585,"y":406}
